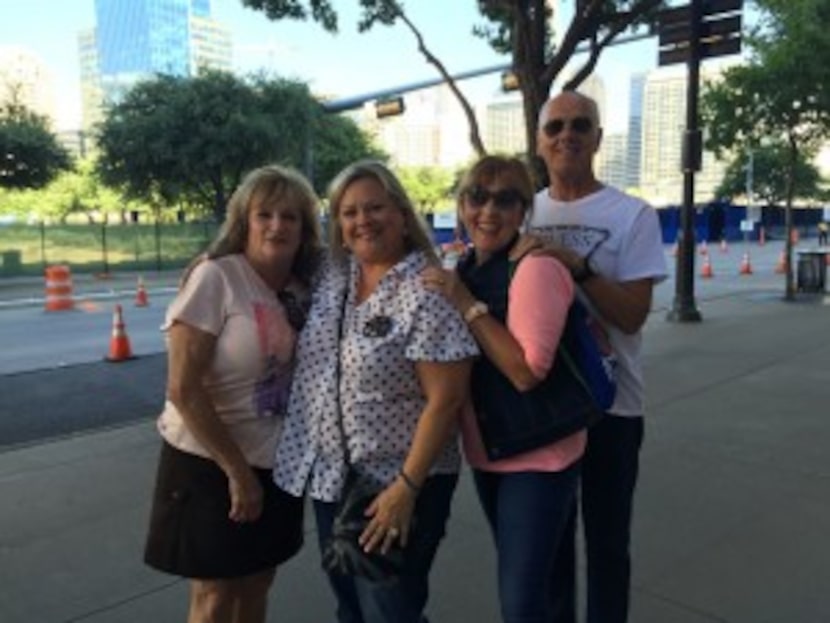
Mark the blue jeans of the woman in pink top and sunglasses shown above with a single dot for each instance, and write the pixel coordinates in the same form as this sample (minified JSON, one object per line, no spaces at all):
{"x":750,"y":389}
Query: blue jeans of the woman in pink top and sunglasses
{"x":527,"y":513}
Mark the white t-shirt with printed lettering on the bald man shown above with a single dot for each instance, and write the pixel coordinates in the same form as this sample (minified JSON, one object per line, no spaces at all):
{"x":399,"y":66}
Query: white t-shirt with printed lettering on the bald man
{"x":621,"y":235}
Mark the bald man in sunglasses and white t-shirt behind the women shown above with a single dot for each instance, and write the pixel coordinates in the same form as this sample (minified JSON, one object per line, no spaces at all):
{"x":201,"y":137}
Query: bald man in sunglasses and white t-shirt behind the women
{"x":611,"y":243}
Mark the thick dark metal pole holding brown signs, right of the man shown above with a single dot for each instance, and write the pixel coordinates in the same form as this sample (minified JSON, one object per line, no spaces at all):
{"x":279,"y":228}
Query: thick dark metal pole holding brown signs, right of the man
{"x":684,"y":308}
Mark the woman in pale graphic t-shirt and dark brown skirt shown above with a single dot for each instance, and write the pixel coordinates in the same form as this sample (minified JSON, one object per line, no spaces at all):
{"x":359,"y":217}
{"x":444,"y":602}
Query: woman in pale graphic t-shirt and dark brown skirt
{"x":217,"y":516}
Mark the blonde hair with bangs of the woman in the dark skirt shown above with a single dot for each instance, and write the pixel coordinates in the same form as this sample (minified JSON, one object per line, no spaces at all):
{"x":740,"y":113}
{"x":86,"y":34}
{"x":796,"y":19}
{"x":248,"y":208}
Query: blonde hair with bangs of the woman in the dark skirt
{"x":270,"y":183}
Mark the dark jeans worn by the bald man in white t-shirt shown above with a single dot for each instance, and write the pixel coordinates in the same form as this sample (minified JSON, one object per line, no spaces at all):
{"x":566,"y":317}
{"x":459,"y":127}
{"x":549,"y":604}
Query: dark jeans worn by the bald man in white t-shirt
{"x":609,"y":476}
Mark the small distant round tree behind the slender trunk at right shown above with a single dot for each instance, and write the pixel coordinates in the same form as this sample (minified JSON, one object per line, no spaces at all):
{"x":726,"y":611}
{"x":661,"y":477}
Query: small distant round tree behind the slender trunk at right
{"x":769,"y":185}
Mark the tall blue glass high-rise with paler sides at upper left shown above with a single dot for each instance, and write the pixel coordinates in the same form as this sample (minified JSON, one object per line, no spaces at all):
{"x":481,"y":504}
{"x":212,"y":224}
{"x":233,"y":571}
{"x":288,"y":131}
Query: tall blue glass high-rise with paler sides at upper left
{"x":136,"y":39}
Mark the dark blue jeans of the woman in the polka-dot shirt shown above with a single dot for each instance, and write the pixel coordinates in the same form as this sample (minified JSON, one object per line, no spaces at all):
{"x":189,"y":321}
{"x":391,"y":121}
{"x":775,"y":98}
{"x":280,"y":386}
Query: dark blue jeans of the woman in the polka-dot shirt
{"x":402,"y":601}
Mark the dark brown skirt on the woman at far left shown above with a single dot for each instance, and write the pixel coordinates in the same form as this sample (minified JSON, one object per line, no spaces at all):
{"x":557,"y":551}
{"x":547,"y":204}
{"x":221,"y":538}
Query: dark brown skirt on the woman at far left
{"x":190,"y":534}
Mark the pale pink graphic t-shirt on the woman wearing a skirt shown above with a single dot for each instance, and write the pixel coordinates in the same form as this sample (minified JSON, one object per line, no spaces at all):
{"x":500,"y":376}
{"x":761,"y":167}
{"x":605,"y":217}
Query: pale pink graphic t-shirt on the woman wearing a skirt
{"x":250,"y":375}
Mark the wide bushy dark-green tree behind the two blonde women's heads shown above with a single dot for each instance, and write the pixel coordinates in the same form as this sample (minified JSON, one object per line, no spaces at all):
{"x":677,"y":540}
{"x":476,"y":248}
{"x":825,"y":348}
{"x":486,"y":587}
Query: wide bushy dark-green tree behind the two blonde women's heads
{"x":192,"y":139}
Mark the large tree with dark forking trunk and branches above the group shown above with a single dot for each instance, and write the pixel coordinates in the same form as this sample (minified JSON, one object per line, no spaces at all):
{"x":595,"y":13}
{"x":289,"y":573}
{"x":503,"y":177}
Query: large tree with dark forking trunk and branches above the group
{"x":519,"y":28}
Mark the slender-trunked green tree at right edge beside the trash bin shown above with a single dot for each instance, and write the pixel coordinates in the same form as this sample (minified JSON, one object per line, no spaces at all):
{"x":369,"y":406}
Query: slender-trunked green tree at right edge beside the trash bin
{"x":782,"y":95}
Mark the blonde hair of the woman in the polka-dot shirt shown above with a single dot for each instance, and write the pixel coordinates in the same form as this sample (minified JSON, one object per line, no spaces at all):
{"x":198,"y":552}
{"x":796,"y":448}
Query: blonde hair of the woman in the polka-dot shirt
{"x":416,"y":237}
